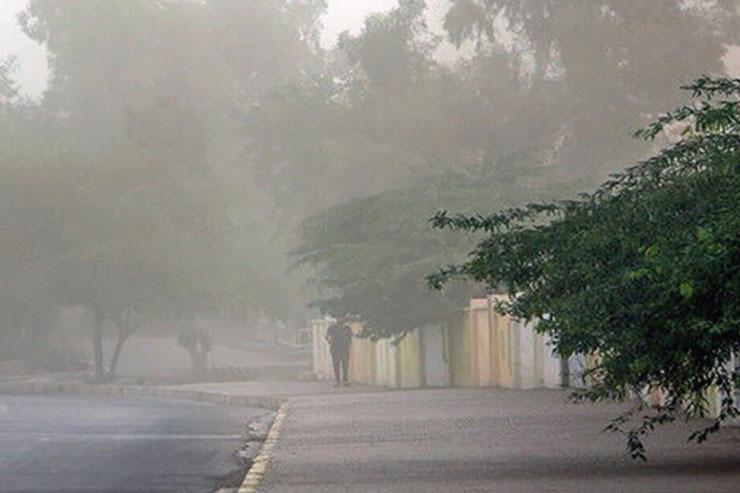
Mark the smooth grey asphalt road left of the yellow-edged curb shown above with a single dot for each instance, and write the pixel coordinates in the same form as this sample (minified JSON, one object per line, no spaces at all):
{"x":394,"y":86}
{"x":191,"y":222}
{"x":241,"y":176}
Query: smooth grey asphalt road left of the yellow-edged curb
{"x":118,"y":444}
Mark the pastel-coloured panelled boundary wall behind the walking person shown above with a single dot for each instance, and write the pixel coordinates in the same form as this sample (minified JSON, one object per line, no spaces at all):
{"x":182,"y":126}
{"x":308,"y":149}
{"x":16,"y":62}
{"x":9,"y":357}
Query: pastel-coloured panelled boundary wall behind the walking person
{"x":476,"y":347}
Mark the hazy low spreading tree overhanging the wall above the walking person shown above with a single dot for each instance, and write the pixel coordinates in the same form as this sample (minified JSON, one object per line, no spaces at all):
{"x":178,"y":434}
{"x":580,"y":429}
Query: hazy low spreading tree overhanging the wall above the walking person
{"x":370,"y":255}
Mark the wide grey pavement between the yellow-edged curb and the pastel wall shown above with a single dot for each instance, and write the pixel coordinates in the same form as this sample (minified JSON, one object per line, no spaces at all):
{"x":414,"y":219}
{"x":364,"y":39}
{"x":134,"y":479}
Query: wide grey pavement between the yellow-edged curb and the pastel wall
{"x":482,"y":440}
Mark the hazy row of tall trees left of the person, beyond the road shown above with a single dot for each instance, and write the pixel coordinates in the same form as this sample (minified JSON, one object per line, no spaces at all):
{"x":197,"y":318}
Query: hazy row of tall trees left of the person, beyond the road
{"x":124,"y":190}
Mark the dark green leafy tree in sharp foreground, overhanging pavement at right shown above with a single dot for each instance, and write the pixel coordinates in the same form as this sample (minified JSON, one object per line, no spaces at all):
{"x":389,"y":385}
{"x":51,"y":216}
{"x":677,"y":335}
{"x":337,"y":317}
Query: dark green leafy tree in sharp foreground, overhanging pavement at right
{"x":644,"y":272}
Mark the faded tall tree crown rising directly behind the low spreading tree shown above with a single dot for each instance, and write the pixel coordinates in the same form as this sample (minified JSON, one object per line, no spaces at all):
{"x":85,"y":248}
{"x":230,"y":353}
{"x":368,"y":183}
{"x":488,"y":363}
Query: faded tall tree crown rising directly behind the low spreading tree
{"x":343,"y":131}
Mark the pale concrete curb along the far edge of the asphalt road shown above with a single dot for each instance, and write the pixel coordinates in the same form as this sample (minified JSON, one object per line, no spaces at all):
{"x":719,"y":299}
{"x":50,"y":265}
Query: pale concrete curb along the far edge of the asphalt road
{"x":78,"y":388}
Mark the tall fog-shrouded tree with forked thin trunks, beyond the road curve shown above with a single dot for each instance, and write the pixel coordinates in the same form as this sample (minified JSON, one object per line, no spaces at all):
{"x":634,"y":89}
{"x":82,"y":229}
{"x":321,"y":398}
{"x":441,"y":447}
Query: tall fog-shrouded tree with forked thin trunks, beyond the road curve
{"x":146,"y":97}
